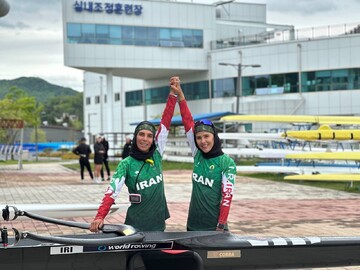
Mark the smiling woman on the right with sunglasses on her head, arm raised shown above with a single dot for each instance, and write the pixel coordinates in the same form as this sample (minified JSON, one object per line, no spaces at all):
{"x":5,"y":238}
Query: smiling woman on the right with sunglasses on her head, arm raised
{"x":213,"y":176}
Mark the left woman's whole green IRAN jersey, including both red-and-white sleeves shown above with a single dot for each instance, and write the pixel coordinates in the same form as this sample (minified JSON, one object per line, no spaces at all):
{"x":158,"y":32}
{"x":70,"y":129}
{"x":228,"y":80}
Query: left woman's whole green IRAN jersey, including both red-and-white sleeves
{"x":143,"y":179}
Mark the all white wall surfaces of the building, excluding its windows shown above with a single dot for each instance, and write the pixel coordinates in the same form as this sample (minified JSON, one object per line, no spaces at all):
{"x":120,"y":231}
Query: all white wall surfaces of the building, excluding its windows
{"x":203,"y":64}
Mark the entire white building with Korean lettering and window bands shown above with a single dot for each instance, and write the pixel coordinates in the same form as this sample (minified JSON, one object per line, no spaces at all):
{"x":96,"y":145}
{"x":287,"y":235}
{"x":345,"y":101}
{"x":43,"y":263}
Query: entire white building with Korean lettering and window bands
{"x":229,"y":58}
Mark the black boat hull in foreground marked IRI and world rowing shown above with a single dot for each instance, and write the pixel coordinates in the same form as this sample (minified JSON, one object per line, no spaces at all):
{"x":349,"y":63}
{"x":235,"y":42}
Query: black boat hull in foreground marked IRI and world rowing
{"x":185,"y":250}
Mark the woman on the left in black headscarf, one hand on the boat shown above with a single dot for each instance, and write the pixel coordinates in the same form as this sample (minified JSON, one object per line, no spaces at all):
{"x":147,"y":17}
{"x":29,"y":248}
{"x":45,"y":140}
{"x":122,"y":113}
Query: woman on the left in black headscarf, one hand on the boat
{"x":142,"y":173}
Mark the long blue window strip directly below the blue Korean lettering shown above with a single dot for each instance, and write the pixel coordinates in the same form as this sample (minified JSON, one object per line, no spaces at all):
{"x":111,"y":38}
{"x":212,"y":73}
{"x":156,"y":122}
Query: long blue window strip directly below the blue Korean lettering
{"x":134,"y":35}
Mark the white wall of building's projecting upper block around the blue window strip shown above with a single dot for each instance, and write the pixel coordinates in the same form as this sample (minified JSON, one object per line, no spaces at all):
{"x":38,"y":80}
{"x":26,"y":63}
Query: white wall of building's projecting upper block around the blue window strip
{"x":128,"y":60}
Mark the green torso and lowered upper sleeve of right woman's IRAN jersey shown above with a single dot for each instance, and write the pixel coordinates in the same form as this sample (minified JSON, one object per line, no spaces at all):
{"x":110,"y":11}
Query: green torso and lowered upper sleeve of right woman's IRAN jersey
{"x":211,"y":178}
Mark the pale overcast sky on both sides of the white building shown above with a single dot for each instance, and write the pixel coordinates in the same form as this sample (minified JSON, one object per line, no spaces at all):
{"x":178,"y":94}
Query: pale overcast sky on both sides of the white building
{"x":31,"y":33}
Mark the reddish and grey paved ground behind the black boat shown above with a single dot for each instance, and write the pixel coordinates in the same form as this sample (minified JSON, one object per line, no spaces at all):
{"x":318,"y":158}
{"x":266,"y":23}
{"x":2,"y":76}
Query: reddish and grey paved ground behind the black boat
{"x":259,"y":208}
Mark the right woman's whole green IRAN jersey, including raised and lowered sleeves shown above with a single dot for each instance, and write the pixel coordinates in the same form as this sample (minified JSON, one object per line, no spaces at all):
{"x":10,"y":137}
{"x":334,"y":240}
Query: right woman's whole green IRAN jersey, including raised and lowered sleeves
{"x":213,"y":182}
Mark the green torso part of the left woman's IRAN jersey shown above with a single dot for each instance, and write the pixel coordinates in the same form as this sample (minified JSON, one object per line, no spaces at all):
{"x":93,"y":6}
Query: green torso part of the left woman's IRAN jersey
{"x":146,"y":180}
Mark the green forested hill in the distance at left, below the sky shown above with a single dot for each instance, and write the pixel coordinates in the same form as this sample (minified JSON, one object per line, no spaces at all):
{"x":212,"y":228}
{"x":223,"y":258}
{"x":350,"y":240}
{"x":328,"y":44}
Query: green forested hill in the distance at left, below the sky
{"x":36,"y":87}
